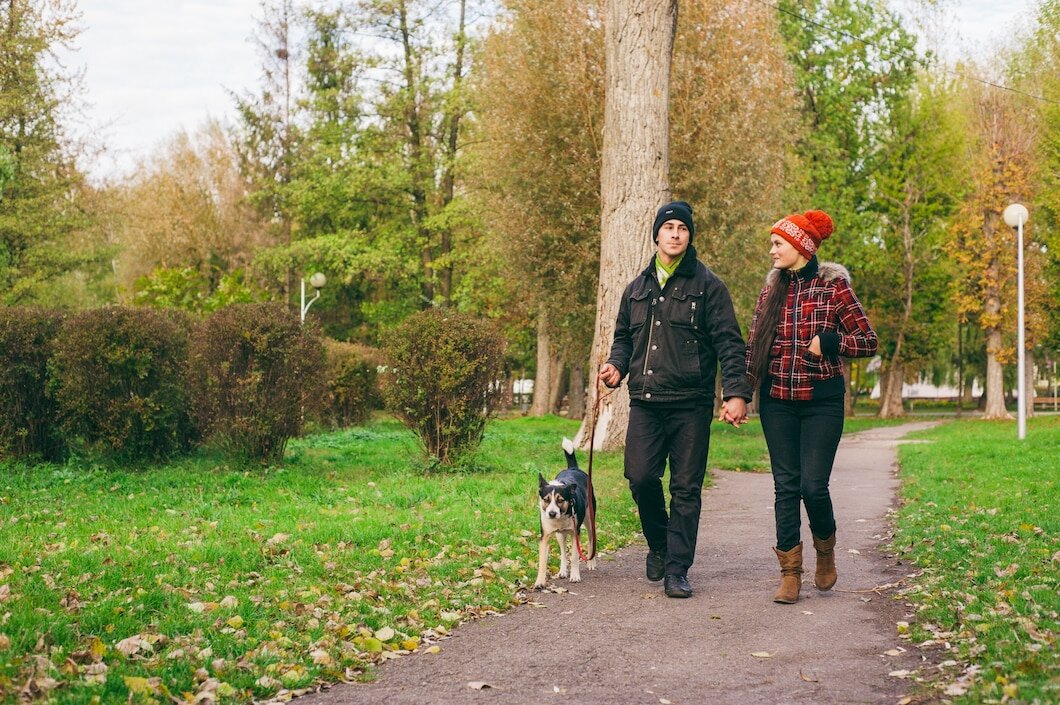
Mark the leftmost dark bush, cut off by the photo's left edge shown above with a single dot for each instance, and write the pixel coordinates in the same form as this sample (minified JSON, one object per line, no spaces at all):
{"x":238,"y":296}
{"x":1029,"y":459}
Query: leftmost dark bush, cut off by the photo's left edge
{"x":28,"y":416}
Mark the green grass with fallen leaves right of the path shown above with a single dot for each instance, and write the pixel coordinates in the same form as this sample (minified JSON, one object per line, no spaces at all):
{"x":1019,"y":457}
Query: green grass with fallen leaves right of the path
{"x":981,"y":517}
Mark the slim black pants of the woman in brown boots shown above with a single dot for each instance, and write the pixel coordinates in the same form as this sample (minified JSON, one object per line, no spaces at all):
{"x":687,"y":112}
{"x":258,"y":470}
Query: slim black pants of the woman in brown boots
{"x":803,"y":438}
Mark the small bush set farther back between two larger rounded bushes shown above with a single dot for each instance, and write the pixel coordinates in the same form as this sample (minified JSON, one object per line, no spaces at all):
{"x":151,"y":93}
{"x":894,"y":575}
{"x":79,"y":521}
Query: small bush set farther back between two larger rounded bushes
{"x":354,"y":389}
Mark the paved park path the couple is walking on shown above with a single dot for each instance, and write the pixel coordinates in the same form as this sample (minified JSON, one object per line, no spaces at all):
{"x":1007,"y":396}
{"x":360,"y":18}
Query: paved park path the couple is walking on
{"x":616,"y":639}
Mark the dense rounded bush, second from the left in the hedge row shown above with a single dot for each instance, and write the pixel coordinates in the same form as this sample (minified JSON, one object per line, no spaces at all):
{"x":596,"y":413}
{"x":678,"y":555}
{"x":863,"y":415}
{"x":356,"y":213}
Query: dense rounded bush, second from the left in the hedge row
{"x":120,"y":379}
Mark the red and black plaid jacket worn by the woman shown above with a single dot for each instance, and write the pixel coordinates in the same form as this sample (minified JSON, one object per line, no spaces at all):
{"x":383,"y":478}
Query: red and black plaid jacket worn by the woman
{"x":820,"y":304}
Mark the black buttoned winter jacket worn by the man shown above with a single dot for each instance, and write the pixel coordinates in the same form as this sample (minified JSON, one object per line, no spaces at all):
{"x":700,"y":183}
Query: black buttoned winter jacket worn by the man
{"x":669,"y":339}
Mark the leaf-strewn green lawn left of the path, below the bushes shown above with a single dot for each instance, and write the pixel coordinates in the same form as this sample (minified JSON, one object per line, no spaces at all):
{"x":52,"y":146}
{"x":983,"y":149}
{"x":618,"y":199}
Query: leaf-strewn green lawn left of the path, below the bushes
{"x":249,"y":581}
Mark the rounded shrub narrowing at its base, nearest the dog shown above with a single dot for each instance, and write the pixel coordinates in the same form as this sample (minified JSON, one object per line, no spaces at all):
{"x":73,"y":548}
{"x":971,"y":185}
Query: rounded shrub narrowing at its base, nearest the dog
{"x":443,"y":379}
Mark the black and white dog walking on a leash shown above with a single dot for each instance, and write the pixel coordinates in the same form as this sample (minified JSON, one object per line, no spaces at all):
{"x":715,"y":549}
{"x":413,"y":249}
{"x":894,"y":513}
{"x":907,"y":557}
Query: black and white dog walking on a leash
{"x":564,"y":503}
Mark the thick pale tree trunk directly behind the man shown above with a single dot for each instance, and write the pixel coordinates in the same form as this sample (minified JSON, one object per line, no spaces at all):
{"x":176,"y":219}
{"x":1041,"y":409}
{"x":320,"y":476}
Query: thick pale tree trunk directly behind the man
{"x":635,"y":170}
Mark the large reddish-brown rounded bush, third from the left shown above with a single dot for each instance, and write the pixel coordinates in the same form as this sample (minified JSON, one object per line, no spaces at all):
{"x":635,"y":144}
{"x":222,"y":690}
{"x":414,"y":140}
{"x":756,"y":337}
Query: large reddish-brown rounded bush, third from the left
{"x":256,"y":374}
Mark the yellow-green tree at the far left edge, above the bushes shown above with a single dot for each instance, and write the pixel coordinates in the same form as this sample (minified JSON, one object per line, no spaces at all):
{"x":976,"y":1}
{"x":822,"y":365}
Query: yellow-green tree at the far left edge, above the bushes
{"x":43,"y":213}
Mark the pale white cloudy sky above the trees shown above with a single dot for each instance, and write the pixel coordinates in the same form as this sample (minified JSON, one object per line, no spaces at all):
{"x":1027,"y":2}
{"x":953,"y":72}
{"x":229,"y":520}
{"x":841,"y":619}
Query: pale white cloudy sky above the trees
{"x":154,"y":67}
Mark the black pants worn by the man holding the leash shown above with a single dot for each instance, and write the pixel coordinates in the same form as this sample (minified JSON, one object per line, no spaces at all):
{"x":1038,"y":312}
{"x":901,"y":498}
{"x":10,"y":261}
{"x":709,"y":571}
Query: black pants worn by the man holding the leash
{"x":683,"y":436}
